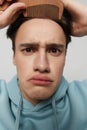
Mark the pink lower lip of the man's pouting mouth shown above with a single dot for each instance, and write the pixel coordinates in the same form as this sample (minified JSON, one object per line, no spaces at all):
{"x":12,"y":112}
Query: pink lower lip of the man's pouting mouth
{"x":40,"y":82}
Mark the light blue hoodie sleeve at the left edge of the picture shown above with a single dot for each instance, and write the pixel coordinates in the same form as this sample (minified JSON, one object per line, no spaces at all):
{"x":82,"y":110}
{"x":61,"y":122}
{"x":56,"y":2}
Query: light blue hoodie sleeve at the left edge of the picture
{"x":6,"y":119}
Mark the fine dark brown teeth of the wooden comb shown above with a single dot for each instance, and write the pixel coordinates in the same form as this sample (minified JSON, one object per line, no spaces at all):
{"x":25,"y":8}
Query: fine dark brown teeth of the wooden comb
{"x":43,"y":11}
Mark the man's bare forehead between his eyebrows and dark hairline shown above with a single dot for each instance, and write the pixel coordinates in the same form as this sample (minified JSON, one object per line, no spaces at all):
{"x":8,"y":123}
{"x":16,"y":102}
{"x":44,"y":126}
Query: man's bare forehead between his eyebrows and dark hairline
{"x":40,"y":30}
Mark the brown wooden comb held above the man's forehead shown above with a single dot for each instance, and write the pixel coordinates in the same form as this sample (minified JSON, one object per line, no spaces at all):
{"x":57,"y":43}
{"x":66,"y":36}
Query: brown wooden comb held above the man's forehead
{"x":52,"y":9}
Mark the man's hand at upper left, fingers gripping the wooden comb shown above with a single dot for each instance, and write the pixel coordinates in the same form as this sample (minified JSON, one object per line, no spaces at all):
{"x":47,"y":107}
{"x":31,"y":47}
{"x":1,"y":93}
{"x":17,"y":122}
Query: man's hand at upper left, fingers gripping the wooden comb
{"x":11,"y":13}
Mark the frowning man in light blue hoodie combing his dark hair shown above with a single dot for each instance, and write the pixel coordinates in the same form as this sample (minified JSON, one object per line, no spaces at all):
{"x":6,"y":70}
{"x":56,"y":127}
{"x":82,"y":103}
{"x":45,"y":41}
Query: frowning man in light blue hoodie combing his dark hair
{"x":39,"y":97}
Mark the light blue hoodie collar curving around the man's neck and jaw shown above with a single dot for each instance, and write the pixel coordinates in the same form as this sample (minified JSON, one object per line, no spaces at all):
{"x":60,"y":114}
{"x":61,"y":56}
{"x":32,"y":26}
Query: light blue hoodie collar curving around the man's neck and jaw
{"x":14,"y":94}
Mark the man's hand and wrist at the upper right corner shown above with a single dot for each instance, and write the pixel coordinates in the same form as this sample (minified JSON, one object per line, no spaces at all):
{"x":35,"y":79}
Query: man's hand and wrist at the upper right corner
{"x":79,"y":17}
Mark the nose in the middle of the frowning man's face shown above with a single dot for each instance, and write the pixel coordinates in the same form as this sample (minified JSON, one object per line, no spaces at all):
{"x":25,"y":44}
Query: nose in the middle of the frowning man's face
{"x":41,"y":63}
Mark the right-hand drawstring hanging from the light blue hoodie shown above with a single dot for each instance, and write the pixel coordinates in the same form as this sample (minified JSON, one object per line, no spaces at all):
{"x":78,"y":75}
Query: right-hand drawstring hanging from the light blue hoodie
{"x":55,"y":114}
